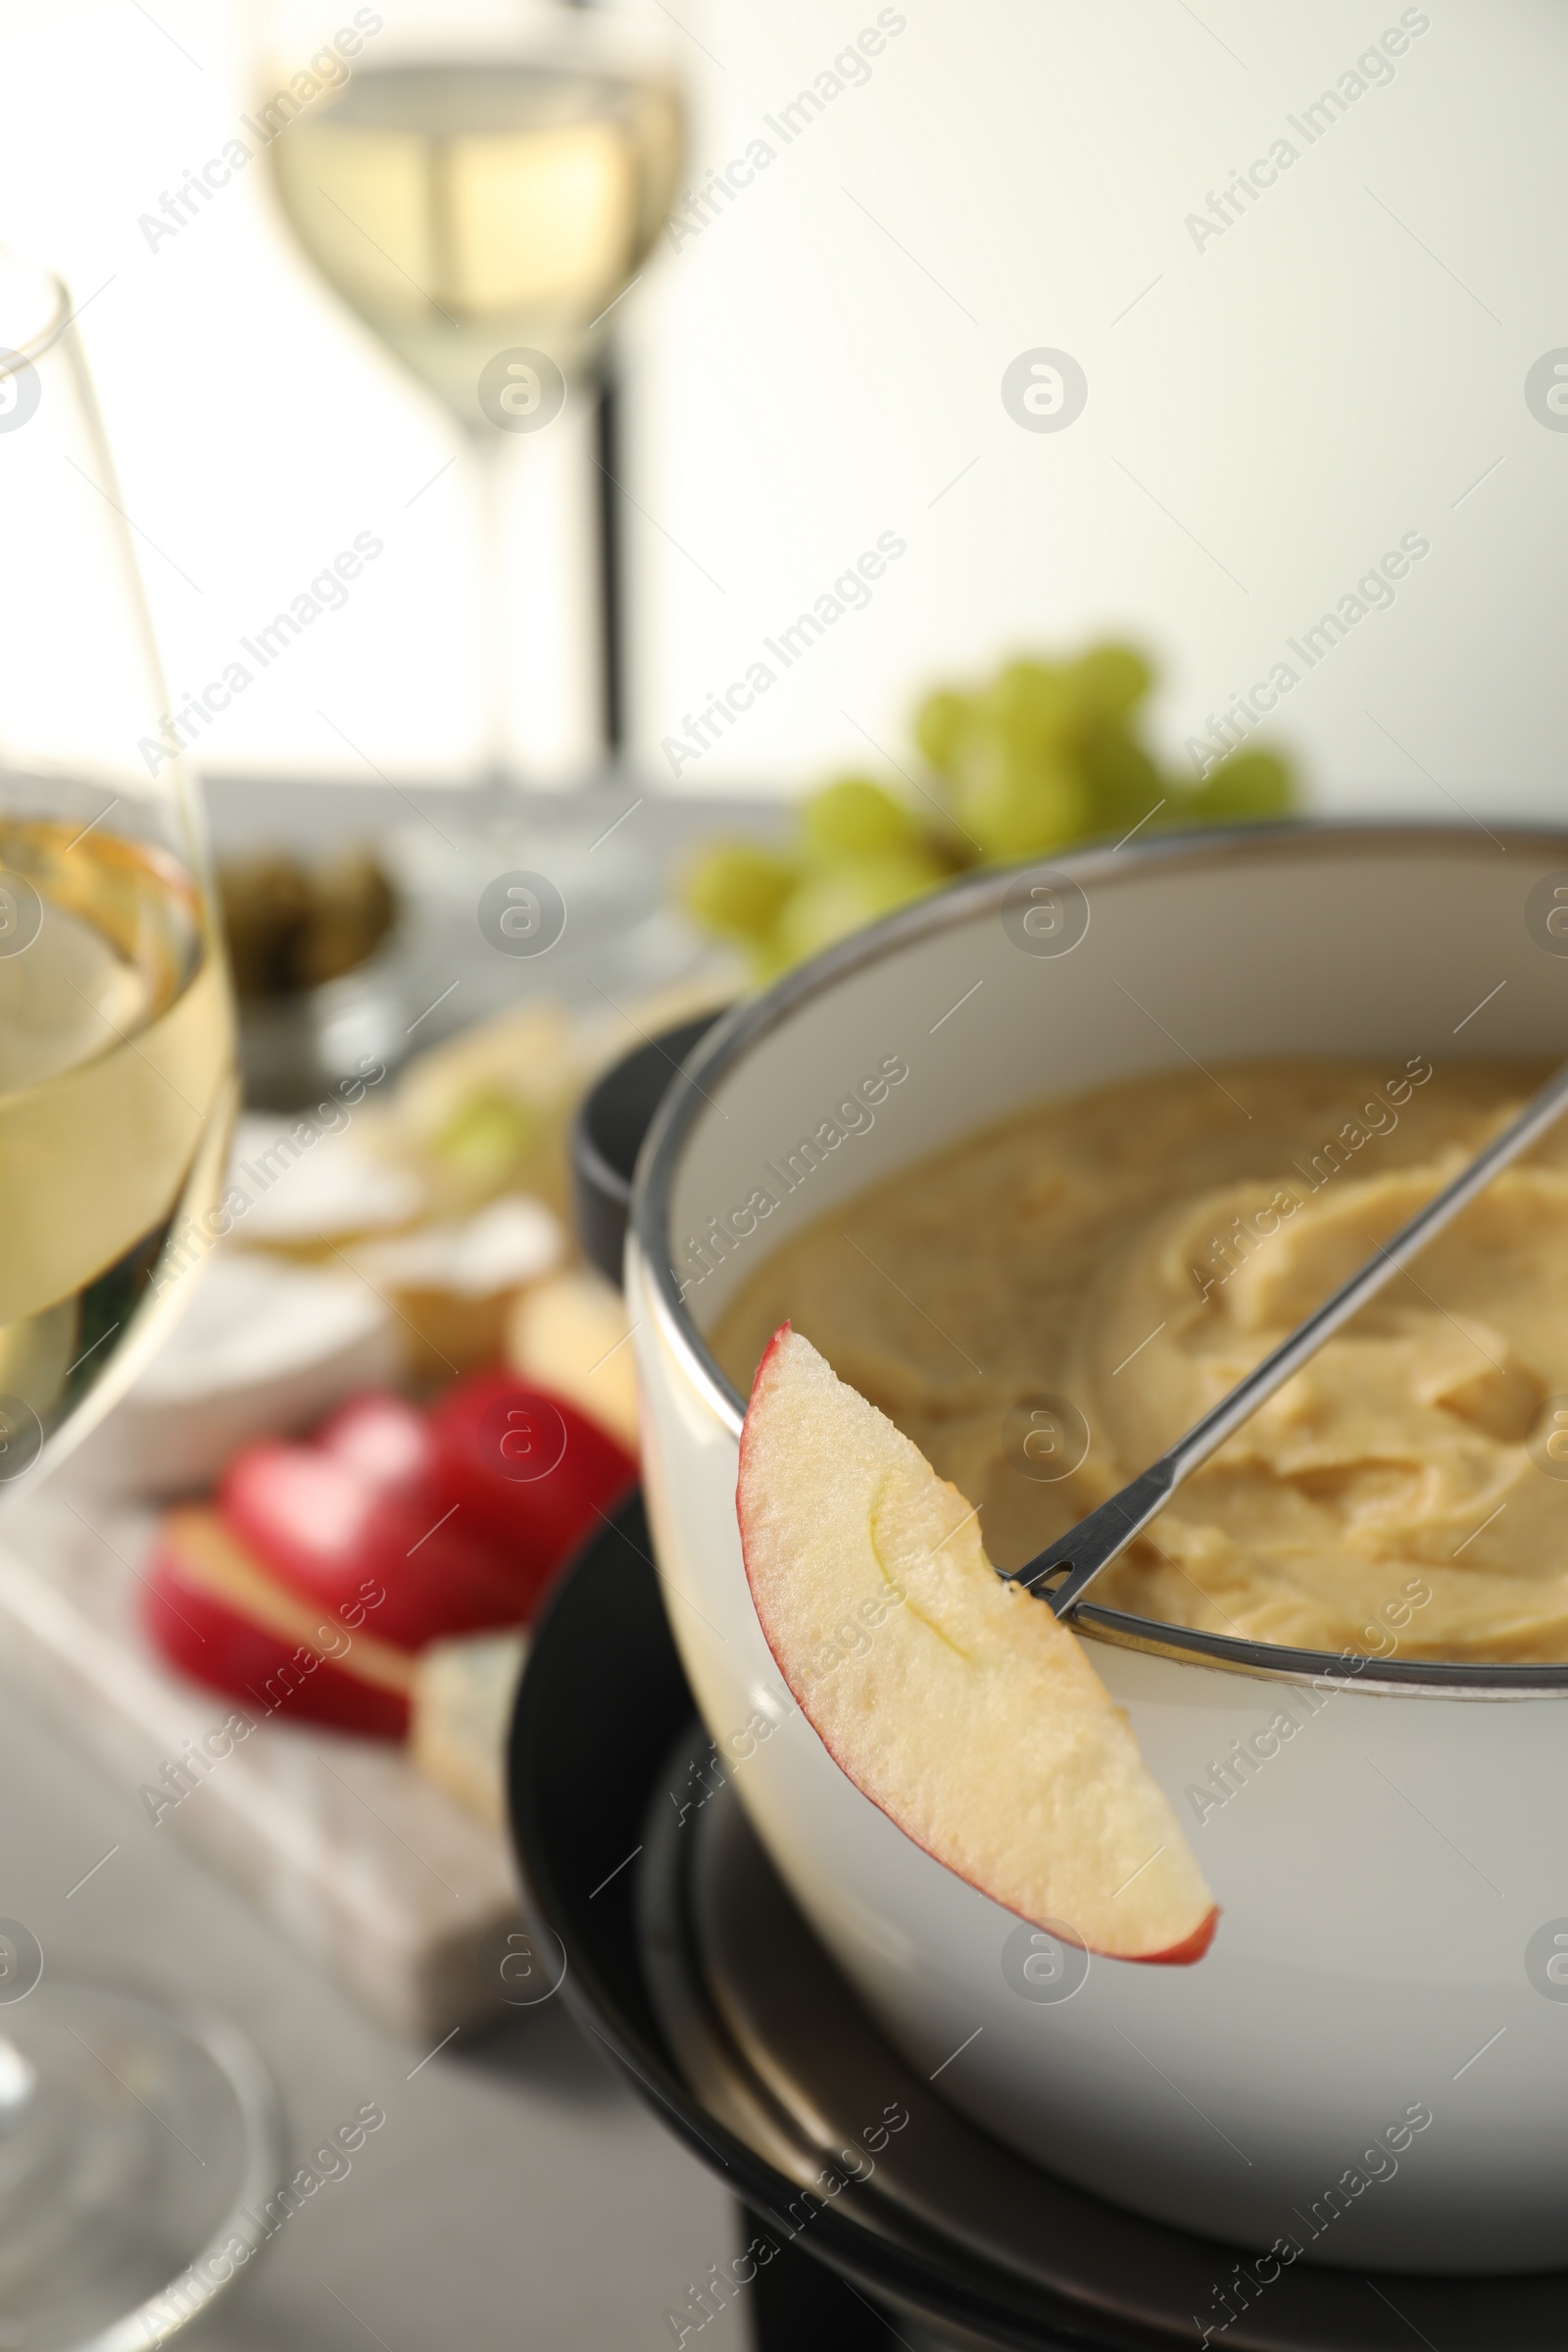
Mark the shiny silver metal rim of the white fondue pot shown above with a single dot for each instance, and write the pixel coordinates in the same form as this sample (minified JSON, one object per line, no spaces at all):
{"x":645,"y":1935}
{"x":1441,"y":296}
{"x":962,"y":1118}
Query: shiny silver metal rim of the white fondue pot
{"x":963,"y":902}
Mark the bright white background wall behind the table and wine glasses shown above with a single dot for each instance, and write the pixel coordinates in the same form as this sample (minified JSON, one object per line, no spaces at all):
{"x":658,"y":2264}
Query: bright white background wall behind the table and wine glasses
{"x":824,"y":363}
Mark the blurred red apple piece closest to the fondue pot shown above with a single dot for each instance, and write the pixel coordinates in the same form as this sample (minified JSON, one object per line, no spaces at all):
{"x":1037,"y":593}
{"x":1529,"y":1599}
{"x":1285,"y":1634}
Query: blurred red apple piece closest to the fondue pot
{"x":530,"y":1471}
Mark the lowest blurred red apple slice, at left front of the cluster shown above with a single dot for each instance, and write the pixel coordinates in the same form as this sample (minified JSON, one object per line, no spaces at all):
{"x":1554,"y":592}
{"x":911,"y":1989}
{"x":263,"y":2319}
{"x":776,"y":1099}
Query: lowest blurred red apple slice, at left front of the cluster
{"x":213,"y":1643}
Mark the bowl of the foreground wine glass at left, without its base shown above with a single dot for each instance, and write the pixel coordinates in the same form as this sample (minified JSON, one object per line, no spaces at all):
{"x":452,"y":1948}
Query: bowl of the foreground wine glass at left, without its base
{"x":116,"y":1036}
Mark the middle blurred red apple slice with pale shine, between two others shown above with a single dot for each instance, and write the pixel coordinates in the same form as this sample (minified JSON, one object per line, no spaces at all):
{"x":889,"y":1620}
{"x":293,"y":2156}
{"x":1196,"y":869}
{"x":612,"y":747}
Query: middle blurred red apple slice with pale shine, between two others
{"x":323,"y":1530}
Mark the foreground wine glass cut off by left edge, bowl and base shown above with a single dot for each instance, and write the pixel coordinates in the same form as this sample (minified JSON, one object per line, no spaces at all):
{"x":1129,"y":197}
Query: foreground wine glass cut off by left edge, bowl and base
{"x":130,"y":2139}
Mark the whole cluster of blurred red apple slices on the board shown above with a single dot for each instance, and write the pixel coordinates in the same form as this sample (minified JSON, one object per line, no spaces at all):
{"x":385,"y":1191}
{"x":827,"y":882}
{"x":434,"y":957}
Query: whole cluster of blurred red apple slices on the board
{"x":323,"y":1568}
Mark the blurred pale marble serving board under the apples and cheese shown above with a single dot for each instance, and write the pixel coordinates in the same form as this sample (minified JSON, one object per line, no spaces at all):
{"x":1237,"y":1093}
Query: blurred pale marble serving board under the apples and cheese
{"x":363,"y":1864}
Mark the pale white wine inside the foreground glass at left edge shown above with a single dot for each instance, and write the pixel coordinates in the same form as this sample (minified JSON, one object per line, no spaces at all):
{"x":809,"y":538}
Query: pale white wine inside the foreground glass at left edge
{"x":114,"y":1100}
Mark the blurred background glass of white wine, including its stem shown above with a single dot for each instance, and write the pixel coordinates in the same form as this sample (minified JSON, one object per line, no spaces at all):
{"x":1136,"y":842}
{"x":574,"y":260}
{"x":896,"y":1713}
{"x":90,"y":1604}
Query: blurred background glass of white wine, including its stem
{"x":481,"y":187}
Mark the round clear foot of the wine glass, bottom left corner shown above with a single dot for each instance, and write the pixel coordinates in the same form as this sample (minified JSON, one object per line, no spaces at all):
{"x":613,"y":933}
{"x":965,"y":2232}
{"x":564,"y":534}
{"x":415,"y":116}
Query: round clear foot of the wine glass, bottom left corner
{"x":138,"y":2156}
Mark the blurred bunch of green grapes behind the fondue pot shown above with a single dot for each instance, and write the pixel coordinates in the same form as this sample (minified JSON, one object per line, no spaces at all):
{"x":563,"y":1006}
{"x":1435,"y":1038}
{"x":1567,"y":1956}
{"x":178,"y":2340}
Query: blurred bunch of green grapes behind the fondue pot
{"x":1043,"y":756}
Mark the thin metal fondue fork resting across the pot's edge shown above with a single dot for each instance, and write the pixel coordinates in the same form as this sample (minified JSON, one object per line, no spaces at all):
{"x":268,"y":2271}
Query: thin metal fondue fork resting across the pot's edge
{"x":1064,"y":1572}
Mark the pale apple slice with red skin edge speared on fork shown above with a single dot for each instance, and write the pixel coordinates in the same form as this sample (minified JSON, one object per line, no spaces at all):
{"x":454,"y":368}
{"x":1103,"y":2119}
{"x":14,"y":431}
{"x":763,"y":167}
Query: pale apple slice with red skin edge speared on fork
{"x":953,"y":1702}
